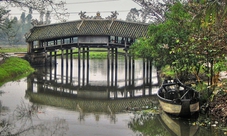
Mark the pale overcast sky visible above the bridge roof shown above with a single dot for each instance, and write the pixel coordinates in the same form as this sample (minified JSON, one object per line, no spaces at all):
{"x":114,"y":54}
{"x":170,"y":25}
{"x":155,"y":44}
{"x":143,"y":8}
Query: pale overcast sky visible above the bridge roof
{"x":91,"y":7}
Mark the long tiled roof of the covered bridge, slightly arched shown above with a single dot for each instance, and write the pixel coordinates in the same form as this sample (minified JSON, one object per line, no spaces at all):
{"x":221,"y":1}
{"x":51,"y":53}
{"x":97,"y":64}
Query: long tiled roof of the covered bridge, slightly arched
{"x":88,"y":27}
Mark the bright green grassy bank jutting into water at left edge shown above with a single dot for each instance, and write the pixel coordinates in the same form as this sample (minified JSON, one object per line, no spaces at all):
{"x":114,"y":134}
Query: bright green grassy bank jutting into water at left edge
{"x":14,"y":68}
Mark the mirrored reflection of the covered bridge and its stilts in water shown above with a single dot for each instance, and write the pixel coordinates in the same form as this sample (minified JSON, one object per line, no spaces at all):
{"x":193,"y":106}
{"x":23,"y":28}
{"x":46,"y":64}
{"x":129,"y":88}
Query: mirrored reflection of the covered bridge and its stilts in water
{"x":99,"y":86}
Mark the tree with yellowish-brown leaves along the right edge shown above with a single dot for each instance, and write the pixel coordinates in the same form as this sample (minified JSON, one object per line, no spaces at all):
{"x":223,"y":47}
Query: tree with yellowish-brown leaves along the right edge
{"x":210,"y":35}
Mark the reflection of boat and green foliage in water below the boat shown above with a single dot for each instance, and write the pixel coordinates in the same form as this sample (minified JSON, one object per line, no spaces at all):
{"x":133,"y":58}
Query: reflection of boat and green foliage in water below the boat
{"x":162,"y":124}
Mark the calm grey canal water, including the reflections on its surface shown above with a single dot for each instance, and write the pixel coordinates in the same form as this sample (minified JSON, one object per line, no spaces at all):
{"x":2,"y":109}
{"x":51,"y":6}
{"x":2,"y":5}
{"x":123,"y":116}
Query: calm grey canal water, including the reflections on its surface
{"x":91,"y":100}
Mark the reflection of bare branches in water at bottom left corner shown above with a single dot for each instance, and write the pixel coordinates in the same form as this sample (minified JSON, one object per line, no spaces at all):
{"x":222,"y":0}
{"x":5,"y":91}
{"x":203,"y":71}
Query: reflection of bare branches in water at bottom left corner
{"x":23,"y":122}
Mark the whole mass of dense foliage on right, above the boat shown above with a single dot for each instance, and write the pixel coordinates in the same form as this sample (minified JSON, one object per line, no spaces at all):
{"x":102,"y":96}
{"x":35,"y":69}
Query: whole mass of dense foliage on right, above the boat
{"x":191,"y":40}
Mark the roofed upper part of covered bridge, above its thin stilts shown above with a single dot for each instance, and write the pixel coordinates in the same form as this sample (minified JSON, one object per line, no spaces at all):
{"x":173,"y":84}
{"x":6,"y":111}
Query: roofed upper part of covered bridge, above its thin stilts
{"x":85,"y":33}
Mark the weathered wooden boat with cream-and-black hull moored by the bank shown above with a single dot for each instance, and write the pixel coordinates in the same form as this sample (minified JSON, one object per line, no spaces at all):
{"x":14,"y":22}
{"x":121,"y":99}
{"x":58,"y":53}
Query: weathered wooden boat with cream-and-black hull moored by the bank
{"x":178,"y":99}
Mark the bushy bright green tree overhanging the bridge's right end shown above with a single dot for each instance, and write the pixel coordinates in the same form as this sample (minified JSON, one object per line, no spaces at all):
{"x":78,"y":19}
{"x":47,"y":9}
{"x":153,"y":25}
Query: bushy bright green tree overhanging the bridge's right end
{"x":168,"y":42}
